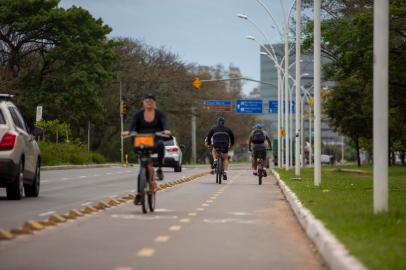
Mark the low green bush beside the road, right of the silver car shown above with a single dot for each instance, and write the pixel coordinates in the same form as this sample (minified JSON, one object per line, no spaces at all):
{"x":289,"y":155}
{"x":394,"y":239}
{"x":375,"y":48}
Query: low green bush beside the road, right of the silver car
{"x":68,"y":153}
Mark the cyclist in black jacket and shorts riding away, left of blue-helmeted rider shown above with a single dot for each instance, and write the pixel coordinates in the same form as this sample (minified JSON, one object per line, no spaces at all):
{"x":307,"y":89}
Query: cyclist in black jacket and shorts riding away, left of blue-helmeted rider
{"x":221,"y":137}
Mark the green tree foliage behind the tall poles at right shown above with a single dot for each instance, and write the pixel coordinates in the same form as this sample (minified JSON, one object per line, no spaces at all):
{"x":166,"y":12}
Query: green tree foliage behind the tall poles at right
{"x":347,"y":39}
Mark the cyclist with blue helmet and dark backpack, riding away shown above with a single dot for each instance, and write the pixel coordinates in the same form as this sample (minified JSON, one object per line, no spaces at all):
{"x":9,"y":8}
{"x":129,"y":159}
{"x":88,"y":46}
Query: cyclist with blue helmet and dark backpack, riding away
{"x":257,"y":146}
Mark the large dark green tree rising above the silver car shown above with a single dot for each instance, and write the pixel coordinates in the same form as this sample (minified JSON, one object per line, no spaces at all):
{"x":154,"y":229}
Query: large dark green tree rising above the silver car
{"x":55,"y":57}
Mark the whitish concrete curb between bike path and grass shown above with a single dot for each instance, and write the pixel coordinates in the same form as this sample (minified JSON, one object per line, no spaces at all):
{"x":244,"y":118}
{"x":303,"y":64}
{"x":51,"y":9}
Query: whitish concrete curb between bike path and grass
{"x":333,"y":251}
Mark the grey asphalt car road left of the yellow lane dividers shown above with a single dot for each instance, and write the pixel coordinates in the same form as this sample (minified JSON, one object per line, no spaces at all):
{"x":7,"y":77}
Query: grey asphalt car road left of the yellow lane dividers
{"x":62,"y":190}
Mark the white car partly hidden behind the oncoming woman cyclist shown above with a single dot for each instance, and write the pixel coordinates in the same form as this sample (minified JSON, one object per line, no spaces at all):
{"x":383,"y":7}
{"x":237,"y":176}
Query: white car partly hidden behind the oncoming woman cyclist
{"x":173,"y":155}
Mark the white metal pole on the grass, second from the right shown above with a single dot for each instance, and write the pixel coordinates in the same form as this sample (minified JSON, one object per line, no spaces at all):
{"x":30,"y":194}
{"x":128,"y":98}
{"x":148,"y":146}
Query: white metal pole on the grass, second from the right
{"x":317,"y":110}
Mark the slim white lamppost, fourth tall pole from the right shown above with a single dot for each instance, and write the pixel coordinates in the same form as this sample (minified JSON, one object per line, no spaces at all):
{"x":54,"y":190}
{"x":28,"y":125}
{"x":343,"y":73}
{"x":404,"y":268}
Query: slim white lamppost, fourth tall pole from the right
{"x":286,"y":96}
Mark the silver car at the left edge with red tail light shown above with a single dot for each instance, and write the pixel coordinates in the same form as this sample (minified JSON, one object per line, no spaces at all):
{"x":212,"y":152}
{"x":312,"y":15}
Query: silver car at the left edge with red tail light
{"x":20,"y":159}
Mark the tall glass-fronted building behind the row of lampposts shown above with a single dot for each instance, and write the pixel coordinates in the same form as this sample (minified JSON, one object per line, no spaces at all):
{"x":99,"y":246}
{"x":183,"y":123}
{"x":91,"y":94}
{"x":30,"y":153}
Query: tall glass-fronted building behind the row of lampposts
{"x":269,"y":73}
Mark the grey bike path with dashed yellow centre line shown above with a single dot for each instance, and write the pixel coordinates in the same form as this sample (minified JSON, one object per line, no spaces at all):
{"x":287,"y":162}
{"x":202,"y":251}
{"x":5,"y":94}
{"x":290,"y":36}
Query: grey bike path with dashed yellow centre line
{"x":197,"y":225}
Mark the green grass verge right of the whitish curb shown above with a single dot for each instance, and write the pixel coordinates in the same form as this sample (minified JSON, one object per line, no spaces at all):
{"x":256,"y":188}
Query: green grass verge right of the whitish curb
{"x":344,"y":203}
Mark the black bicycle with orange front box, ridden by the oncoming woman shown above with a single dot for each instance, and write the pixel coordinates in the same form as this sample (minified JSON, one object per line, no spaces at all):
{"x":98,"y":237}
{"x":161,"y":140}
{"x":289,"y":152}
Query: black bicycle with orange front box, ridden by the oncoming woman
{"x":144,"y":145}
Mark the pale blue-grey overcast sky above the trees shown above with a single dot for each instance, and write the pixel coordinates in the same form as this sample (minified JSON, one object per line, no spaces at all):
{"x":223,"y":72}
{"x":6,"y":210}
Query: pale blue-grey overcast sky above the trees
{"x":206,"y":32}
